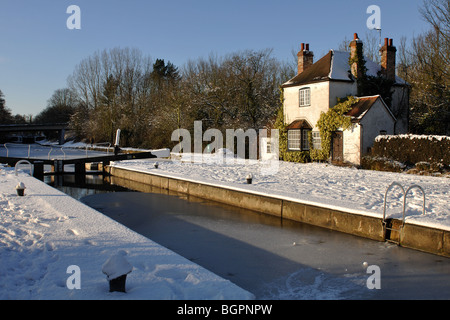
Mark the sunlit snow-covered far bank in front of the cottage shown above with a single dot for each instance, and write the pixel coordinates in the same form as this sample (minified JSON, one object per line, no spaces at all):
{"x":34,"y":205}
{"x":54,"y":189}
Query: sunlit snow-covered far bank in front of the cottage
{"x":350,"y":189}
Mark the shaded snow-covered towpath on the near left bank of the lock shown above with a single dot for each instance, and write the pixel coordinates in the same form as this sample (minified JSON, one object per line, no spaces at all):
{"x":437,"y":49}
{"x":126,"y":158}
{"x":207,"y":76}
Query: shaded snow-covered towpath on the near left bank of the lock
{"x":46,"y":231}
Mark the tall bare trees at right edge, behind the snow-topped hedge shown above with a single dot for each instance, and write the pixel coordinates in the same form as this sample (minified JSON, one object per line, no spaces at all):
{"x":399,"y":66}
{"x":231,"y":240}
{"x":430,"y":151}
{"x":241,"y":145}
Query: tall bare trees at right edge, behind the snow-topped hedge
{"x":425,"y":65}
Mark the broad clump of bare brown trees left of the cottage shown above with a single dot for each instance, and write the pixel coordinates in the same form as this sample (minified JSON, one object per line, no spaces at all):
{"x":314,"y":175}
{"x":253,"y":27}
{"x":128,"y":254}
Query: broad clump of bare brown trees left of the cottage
{"x":147,"y":100}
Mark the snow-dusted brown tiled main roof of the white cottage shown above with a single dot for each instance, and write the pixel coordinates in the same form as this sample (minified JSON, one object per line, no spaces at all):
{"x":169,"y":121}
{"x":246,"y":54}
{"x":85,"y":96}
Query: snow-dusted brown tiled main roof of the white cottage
{"x":334,"y":66}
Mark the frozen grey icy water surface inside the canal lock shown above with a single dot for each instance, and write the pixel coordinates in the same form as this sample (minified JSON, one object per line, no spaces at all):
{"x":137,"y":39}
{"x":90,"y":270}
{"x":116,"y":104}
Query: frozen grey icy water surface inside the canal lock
{"x":277,"y":259}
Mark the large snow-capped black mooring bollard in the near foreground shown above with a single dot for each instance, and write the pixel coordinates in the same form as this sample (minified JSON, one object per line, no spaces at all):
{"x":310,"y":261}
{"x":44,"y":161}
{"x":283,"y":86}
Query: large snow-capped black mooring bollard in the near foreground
{"x":116,"y":269}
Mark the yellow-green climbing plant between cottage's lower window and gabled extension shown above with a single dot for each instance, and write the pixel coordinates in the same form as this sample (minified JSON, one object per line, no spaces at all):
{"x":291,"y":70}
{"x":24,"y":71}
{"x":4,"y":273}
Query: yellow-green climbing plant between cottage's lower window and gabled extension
{"x":333,"y":120}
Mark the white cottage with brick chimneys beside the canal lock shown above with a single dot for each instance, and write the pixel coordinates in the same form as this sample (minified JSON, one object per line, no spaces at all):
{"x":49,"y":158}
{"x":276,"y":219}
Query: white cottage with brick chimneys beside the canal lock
{"x":317,"y":86}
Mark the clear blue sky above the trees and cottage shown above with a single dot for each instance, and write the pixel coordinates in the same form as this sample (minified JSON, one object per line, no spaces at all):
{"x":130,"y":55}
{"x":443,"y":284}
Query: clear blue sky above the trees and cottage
{"x":38,"y":52}
